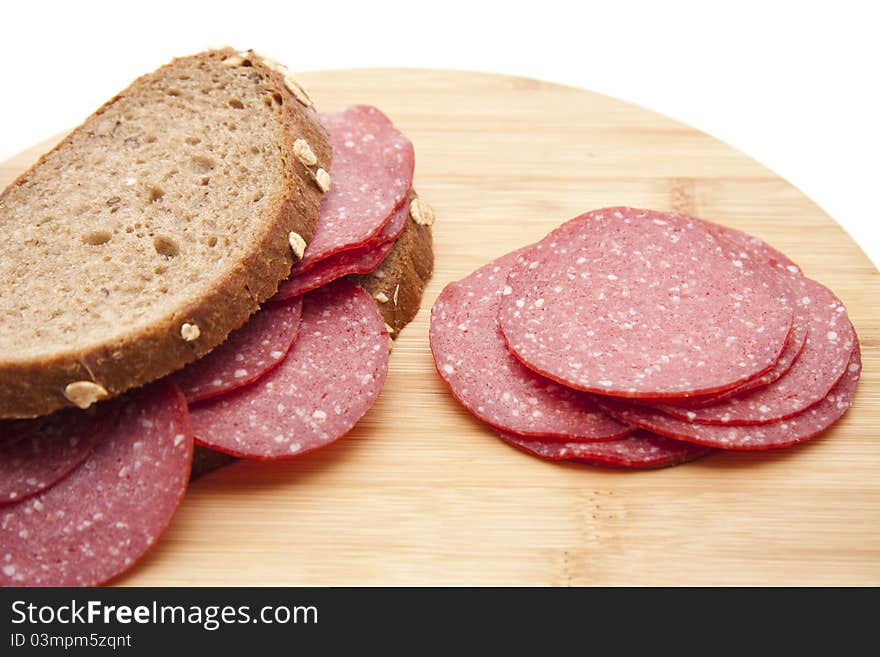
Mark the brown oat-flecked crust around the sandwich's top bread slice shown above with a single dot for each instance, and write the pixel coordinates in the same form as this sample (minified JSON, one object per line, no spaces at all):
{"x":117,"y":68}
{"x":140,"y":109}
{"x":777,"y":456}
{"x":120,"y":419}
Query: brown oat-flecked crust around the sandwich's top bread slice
{"x":35,"y":387}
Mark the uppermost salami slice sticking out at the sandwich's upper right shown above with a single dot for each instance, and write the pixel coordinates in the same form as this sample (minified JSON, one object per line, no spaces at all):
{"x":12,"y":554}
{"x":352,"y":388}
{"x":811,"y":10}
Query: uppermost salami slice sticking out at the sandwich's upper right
{"x":371,"y":174}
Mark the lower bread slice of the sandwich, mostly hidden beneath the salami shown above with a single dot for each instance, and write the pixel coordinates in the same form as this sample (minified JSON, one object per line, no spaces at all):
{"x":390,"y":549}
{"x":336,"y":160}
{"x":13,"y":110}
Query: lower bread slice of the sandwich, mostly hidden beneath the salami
{"x":397,"y":286}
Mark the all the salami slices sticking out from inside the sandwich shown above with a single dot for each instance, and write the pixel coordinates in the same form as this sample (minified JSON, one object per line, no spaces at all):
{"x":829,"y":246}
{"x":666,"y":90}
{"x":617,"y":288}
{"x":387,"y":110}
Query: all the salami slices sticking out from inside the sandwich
{"x":84,"y":494}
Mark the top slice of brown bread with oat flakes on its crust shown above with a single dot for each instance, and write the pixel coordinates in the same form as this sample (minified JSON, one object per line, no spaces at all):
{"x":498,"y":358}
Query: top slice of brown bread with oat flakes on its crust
{"x":154,"y":229}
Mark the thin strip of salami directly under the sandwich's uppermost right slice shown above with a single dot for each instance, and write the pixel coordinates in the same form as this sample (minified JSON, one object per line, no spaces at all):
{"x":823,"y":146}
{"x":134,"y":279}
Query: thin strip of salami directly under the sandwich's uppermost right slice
{"x":361,"y":260}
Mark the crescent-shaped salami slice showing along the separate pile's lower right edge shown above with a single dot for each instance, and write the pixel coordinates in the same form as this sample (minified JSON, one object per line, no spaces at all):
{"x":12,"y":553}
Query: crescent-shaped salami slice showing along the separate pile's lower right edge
{"x":782,"y":433}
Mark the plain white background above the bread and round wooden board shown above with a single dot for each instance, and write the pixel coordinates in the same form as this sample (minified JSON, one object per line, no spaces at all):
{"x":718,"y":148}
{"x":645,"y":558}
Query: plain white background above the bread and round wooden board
{"x":796,"y":85}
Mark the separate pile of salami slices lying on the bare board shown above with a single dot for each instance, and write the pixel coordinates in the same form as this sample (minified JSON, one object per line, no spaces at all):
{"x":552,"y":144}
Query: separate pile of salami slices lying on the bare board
{"x":641,"y":339}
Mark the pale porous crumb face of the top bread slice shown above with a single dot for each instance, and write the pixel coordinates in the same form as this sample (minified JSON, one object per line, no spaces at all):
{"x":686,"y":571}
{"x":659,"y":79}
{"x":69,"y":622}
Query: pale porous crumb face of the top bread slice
{"x":83,"y":245}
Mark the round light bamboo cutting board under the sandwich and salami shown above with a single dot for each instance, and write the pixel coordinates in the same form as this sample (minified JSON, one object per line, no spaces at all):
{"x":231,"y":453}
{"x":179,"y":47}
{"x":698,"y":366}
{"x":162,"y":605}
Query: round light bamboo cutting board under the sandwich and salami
{"x":421,"y":493}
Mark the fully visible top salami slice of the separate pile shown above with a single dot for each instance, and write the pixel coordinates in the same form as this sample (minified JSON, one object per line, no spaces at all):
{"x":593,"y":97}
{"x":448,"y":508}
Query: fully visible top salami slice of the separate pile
{"x":636,"y":303}
